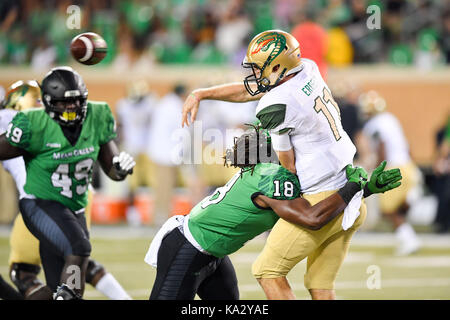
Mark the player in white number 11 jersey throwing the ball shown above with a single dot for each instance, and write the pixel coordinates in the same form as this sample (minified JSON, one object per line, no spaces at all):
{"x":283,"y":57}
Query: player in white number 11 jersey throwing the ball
{"x":297,"y":108}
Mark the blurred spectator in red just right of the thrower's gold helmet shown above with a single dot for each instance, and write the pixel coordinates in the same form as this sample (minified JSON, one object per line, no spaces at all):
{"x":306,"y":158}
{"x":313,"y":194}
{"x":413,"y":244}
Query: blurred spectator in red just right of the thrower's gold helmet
{"x":313,"y":40}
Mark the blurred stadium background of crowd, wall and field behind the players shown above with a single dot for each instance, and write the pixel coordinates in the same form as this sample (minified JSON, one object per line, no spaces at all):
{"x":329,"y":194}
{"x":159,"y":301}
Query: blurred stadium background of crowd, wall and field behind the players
{"x":161,"y":50}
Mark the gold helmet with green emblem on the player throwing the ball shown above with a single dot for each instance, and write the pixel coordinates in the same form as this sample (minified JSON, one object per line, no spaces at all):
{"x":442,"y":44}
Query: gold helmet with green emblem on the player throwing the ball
{"x":272,"y":55}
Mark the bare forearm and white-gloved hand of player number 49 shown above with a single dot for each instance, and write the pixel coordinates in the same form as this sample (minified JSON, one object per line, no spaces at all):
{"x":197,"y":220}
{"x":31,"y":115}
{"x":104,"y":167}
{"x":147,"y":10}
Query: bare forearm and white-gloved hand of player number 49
{"x":116,"y":165}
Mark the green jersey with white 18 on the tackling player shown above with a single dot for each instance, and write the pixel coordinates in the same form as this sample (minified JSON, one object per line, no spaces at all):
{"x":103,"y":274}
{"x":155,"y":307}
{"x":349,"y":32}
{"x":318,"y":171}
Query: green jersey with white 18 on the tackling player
{"x":223,"y":222}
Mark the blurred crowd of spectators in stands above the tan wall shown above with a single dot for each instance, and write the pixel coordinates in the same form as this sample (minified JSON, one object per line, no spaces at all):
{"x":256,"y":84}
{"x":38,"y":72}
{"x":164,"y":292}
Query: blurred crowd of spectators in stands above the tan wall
{"x":215,"y":31}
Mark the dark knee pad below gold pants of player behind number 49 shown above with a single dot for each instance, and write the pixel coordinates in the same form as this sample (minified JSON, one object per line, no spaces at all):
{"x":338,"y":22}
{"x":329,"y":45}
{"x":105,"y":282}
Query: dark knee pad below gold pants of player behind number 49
{"x":24,"y":276}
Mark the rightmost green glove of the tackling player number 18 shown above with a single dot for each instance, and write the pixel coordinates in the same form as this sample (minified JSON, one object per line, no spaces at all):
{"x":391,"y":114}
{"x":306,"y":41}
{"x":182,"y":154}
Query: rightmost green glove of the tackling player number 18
{"x":382,"y":181}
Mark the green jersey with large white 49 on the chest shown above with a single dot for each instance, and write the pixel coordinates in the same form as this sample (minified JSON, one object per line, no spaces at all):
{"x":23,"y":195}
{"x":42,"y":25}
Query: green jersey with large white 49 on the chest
{"x":56,"y":170}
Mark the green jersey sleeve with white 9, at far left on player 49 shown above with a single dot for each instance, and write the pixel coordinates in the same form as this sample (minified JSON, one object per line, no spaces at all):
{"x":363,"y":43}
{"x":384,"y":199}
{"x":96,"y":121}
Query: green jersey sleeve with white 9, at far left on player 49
{"x":19,"y":131}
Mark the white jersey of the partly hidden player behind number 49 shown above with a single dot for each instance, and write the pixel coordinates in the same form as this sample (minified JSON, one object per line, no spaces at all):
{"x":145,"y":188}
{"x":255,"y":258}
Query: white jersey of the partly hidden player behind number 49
{"x":16,"y":166}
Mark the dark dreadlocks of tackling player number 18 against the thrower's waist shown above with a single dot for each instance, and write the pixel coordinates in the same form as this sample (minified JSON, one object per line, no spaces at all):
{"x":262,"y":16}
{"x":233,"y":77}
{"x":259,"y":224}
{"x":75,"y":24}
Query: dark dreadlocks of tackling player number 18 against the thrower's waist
{"x":249,"y":149}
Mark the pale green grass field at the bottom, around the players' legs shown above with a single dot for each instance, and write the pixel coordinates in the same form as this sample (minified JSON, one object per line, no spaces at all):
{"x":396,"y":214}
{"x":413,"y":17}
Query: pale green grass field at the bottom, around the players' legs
{"x":424,"y":275}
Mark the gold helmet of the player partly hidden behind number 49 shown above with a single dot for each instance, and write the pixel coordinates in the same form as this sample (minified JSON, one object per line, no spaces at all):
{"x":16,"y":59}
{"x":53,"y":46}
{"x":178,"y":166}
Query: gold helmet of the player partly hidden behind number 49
{"x":22,"y":95}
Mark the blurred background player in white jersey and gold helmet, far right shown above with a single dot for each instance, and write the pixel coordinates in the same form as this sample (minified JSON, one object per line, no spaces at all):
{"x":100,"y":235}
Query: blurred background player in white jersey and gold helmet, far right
{"x":389,"y":142}
